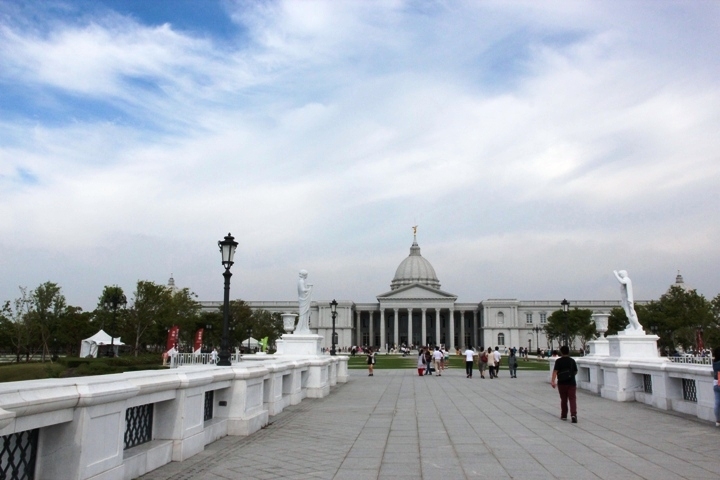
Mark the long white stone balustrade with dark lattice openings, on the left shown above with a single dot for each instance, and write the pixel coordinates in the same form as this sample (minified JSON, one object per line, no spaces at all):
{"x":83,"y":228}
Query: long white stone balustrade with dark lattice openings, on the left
{"x":118,"y":427}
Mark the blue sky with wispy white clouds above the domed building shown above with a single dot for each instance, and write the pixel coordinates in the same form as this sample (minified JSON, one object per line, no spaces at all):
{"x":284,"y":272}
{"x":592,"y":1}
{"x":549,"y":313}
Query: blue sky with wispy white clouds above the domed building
{"x":537,"y":145}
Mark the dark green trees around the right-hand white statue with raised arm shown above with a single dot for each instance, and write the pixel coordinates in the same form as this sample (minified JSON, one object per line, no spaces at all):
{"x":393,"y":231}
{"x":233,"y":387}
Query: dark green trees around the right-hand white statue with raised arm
{"x":681,"y":318}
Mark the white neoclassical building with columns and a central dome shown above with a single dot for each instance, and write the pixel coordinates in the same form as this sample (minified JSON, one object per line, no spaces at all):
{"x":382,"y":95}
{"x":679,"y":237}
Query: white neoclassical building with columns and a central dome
{"x":417,"y":311}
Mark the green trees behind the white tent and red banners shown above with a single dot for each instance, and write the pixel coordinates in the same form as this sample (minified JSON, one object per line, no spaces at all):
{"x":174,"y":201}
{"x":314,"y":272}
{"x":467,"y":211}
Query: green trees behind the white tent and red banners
{"x":40,"y":323}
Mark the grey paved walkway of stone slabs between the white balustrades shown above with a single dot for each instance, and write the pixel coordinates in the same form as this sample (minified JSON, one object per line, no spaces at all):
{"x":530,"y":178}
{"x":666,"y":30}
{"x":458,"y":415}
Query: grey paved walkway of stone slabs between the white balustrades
{"x":396,"y":425}
